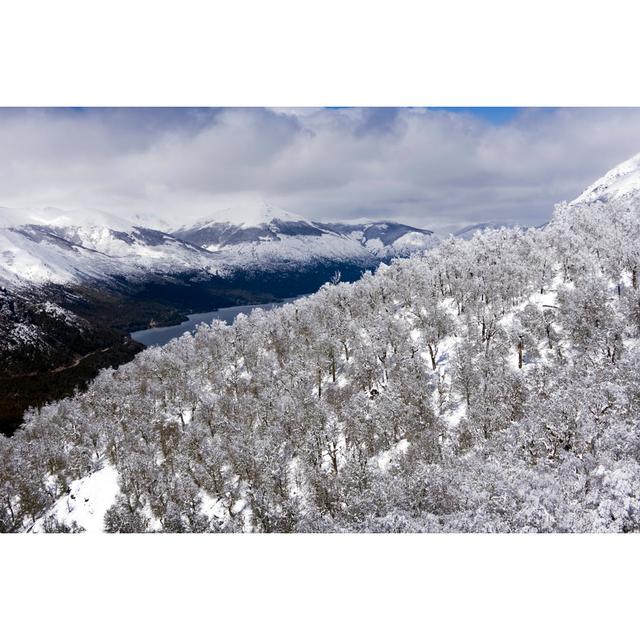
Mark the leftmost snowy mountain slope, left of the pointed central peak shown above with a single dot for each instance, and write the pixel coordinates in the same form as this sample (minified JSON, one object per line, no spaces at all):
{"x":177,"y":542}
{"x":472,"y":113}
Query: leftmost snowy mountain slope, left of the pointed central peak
{"x":71,"y":247}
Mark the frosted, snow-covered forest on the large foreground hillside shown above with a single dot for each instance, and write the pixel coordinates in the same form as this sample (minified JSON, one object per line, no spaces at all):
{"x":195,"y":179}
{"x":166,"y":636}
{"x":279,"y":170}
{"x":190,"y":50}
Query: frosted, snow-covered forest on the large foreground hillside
{"x":490,"y":385}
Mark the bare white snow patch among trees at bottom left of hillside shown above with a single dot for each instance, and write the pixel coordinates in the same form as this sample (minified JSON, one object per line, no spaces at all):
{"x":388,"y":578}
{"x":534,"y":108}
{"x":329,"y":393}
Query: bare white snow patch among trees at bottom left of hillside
{"x":86,"y":502}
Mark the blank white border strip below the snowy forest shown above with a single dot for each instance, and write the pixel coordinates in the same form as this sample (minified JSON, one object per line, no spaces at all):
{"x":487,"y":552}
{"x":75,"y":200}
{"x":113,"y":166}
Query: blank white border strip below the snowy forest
{"x":304,"y":586}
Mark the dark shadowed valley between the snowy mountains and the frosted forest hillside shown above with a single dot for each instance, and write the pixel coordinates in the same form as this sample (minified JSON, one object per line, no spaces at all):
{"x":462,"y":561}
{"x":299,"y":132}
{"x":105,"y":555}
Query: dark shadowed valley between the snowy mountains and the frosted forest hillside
{"x":58,"y":356}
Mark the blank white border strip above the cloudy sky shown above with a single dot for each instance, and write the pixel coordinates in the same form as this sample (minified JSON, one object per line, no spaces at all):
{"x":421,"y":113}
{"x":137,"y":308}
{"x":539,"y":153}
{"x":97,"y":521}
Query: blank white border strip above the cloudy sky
{"x":334,"y":52}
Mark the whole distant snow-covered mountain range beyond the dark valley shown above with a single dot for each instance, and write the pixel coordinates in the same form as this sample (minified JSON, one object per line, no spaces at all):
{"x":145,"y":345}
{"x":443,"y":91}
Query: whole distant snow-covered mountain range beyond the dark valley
{"x":40,"y":246}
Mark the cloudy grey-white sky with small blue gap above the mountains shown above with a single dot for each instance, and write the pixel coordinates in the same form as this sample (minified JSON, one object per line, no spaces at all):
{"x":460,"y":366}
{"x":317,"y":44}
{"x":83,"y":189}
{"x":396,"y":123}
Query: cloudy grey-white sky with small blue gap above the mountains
{"x":436,"y":168}
